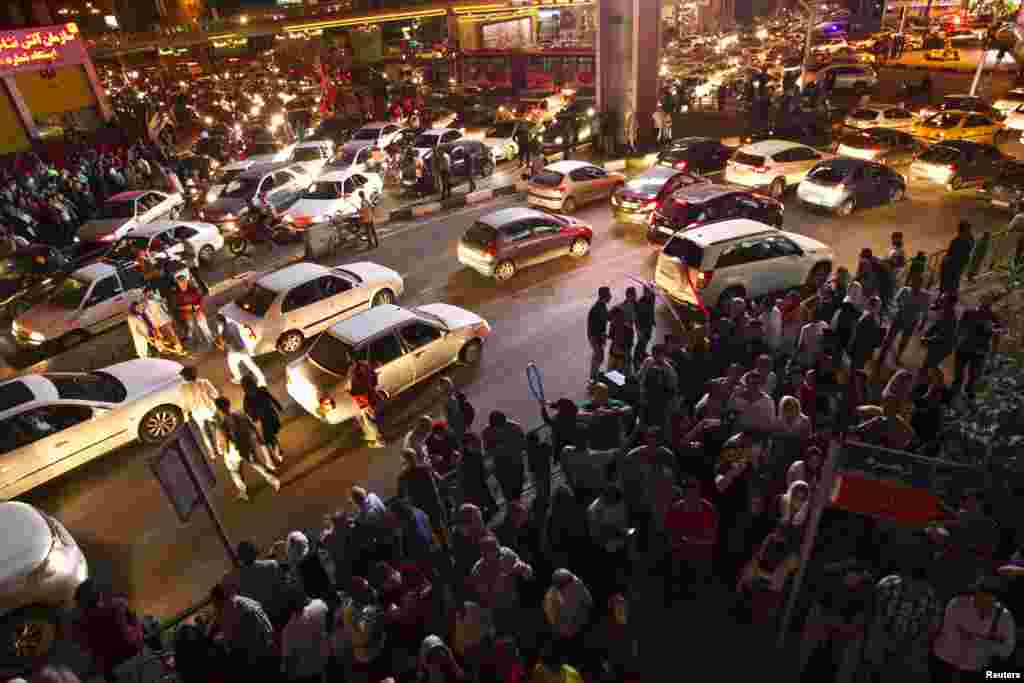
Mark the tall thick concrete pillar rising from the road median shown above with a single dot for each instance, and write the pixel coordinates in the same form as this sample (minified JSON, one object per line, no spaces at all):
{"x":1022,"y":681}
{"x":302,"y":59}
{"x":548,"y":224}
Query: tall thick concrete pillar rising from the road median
{"x":629,"y":49}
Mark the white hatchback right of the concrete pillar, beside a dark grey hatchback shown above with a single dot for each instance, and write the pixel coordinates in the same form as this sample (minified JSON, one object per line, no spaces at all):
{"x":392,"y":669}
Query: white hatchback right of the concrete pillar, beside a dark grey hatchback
{"x":773,"y":164}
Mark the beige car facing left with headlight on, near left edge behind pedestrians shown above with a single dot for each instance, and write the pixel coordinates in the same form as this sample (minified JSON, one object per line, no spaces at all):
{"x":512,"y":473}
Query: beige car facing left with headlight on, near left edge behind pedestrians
{"x":92,"y":301}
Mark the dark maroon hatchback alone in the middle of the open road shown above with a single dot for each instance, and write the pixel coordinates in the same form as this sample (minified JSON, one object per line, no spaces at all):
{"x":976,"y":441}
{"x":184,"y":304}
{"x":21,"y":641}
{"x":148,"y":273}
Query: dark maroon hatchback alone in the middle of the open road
{"x":502,"y":243}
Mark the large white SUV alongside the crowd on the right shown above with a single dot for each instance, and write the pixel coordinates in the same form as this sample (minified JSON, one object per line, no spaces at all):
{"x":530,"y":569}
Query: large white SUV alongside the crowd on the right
{"x":738,"y":259}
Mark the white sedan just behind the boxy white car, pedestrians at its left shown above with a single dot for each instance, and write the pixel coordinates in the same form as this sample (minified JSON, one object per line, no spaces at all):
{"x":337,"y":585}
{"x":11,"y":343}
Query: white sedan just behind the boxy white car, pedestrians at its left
{"x":285,"y":309}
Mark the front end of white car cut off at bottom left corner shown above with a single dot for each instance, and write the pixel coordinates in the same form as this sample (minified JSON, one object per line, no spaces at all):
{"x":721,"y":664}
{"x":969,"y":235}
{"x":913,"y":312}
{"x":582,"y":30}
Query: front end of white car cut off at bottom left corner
{"x":42,"y":570}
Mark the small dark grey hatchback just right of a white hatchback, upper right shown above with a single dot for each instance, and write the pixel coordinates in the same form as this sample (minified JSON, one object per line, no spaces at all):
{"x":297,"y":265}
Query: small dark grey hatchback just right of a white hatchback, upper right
{"x":843,"y":185}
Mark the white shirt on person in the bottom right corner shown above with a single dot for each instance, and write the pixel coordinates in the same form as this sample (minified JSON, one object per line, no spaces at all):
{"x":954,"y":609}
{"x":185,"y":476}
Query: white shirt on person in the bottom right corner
{"x":971,"y":651}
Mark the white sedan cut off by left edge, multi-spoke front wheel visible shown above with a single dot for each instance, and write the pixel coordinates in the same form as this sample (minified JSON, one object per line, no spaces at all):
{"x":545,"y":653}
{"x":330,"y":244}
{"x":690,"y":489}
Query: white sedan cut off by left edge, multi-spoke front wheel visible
{"x":57,"y":422}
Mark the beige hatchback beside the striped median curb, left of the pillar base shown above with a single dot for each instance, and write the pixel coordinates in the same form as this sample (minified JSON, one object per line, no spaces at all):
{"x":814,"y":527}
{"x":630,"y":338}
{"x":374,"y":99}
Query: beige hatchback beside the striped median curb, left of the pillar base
{"x":567,"y":185}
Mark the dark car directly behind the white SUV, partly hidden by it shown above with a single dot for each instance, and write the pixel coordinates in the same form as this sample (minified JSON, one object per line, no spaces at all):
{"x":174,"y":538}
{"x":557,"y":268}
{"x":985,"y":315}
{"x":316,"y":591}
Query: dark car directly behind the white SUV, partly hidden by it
{"x":695,"y":206}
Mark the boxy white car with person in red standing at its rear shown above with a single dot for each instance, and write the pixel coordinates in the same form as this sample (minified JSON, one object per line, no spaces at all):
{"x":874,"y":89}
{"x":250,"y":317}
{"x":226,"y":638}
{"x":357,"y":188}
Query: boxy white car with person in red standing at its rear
{"x":406,"y":346}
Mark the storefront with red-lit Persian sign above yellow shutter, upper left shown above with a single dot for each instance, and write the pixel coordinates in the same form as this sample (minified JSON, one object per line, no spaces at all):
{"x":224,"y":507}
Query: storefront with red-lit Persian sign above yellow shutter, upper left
{"x":50,"y":86}
